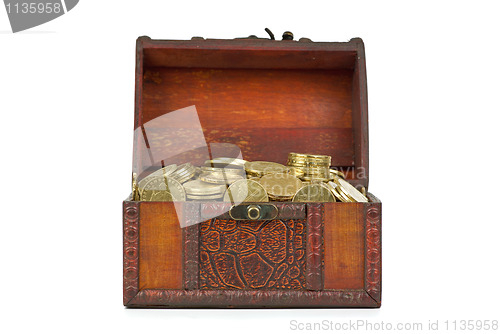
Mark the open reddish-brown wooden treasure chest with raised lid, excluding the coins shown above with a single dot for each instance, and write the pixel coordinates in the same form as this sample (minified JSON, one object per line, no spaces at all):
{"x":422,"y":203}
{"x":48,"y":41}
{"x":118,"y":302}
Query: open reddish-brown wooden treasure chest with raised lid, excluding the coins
{"x":249,"y":99}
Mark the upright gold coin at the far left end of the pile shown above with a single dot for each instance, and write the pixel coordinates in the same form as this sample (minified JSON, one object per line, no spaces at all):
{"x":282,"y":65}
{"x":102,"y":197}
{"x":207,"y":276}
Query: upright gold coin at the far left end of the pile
{"x":162,"y":189}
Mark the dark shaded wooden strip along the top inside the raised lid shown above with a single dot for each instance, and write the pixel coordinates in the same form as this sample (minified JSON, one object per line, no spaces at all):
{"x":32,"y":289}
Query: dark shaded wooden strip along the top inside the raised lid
{"x":248,"y":53}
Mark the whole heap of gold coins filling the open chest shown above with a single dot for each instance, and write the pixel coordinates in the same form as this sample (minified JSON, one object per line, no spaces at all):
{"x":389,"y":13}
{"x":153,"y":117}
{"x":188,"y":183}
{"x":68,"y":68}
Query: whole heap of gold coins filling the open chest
{"x":306,"y":178}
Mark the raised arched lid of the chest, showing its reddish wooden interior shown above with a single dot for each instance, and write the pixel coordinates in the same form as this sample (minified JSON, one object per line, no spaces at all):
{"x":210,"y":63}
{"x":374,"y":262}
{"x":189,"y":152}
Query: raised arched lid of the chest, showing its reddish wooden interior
{"x":255,"y":99}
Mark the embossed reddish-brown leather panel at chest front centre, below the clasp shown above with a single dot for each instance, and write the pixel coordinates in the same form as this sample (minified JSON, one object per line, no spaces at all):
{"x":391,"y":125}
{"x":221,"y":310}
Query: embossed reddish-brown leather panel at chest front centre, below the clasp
{"x":252,"y":255}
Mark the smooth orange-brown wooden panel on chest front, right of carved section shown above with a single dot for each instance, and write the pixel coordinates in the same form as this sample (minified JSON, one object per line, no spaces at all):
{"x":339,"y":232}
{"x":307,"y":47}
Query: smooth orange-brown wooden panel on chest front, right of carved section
{"x":344,"y":246}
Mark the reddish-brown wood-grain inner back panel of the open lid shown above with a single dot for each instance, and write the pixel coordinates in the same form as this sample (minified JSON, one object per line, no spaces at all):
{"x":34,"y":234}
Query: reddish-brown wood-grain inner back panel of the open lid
{"x":266,"y":113}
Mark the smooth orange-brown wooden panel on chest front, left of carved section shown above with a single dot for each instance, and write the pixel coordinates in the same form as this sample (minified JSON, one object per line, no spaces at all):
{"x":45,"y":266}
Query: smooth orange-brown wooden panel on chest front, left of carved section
{"x":160,"y":247}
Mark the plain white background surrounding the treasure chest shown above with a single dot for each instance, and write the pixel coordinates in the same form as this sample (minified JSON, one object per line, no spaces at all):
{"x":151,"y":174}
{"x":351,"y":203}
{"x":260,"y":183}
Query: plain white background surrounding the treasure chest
{"x":67,"y":104}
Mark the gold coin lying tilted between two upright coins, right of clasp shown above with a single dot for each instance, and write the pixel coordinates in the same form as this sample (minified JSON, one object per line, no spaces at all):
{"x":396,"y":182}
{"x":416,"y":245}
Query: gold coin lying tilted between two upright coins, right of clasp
{"x":280,"y":185}
